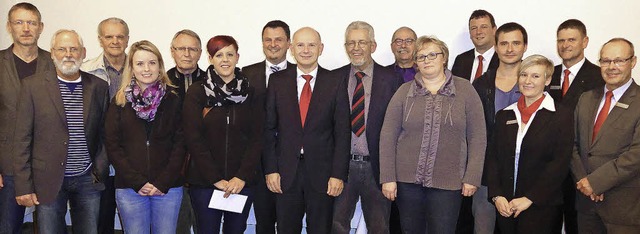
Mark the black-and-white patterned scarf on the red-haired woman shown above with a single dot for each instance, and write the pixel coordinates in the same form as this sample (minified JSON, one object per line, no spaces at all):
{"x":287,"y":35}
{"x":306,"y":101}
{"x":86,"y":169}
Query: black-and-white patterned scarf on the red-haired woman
{"x":220,"y":93}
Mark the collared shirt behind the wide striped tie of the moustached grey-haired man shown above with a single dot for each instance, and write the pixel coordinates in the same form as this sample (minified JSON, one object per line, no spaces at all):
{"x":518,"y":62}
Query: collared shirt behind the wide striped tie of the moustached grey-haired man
{"x":359,"y":144}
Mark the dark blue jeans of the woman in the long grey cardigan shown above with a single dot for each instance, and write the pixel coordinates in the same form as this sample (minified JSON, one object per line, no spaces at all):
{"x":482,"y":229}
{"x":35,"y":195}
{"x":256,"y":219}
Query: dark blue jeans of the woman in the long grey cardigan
{"x":427,"y":210}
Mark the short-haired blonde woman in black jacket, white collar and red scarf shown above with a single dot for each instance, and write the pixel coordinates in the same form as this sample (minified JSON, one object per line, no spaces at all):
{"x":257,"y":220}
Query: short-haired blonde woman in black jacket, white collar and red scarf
{"x":530,"y":154}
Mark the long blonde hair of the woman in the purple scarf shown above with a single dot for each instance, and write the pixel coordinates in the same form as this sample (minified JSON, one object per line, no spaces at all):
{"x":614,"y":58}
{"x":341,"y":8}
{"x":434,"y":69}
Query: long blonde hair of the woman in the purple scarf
{"x":127,"y":75}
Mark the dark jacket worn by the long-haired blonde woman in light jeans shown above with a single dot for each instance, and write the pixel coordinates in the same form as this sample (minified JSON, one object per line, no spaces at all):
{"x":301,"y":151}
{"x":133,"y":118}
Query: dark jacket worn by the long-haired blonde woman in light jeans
{"x":137,"y":163}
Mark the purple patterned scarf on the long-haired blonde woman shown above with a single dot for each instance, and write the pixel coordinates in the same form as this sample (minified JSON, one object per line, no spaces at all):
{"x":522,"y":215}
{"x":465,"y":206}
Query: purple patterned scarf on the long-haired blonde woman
{"x":146,"y":102}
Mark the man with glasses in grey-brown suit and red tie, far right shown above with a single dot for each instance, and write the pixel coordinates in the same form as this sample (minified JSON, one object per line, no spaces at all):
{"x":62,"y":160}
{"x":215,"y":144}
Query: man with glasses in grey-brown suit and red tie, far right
{"x":606,"y":157}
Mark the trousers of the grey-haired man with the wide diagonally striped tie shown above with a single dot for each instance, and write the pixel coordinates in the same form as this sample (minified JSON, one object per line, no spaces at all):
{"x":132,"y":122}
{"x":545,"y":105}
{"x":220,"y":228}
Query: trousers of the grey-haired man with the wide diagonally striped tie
{"x":375,"y":207}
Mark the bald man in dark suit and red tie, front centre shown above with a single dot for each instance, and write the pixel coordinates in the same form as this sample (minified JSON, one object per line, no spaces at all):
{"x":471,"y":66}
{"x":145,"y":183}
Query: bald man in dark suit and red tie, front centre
{"x":306,"y":155}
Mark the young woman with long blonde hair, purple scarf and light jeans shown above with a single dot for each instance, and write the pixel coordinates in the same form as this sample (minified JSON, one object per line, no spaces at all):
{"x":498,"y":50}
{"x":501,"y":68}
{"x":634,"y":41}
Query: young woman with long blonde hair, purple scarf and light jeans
{"x":144,"y":143}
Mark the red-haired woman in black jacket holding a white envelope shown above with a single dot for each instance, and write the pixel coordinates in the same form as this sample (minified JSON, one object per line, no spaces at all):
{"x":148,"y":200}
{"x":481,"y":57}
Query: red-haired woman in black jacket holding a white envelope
{"x":223,"y":121}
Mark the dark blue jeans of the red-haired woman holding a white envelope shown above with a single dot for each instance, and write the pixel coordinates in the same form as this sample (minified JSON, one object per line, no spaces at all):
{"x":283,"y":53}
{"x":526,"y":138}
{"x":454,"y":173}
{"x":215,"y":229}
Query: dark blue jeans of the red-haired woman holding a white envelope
{"x":208,"y":220}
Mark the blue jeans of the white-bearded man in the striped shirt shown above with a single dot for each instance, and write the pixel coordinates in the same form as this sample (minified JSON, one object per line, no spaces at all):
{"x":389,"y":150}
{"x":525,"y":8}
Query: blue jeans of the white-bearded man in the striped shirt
{"x":83,"y":197}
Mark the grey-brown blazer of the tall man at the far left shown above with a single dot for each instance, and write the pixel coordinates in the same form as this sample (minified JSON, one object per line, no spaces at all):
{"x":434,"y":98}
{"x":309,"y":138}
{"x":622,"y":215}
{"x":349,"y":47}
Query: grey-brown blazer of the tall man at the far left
{"x":9,"y":89}
